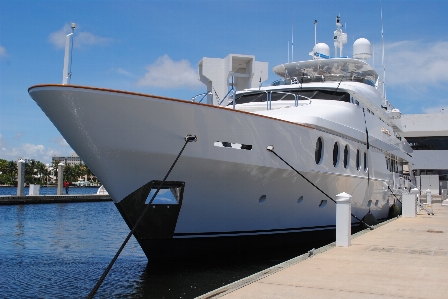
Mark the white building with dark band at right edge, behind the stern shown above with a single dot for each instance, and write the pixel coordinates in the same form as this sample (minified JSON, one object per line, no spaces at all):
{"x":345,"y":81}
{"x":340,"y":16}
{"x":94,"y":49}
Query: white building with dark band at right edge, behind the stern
{"x":427,"y":134}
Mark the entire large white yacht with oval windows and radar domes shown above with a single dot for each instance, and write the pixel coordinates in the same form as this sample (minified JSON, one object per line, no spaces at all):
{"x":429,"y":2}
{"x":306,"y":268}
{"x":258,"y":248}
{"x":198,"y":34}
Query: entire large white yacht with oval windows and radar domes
{"x":233,"y":189}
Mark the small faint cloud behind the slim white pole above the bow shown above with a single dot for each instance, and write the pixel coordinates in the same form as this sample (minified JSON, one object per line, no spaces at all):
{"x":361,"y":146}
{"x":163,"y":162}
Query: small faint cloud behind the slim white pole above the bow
{"x":81,"y":38}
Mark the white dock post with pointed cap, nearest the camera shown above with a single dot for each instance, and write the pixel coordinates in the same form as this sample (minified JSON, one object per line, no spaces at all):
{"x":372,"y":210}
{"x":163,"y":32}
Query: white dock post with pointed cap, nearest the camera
{"x":343,"y":219}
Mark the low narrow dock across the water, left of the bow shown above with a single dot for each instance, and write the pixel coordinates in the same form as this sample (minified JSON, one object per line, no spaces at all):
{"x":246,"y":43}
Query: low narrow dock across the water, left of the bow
{"x":41,"y":199}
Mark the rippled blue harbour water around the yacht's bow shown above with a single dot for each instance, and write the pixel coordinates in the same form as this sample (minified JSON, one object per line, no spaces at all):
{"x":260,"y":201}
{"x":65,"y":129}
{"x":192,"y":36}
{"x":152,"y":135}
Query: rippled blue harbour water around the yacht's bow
{"x":61,"y":250}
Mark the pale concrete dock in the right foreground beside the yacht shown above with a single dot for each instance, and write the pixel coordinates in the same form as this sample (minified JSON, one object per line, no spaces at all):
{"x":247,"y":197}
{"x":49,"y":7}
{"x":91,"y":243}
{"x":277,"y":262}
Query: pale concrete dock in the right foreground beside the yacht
{"x":403,"y":258}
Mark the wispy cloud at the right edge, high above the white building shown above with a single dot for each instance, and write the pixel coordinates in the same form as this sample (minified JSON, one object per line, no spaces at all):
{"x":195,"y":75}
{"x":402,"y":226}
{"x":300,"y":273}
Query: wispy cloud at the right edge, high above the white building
{"x":417,"y":63}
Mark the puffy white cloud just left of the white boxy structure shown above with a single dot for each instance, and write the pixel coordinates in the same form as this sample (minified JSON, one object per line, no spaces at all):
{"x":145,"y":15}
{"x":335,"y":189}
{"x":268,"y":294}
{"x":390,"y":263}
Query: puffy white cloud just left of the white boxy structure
{"x":166,"y":73}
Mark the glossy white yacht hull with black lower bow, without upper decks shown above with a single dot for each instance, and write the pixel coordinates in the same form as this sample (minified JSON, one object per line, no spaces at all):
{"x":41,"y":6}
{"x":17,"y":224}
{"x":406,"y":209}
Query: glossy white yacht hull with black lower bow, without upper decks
{"x":236,"y":194}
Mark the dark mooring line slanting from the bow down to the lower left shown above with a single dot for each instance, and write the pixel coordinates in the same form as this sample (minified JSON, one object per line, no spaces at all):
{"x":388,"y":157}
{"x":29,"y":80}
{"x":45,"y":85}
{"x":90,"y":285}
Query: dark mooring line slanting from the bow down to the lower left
{"x":188,"y":138}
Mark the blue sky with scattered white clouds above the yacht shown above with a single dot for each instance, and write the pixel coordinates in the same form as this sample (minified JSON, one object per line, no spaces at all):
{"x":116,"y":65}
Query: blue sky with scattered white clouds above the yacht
{"x":154,"y":47}
